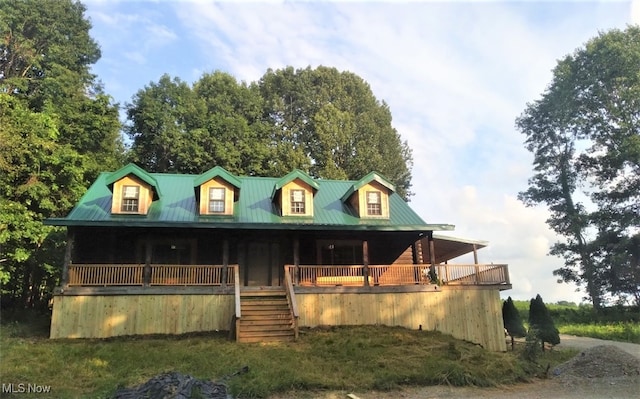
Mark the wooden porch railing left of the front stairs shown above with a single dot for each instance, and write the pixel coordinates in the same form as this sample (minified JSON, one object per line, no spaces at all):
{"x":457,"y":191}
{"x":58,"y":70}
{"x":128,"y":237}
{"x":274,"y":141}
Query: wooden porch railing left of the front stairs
{"x":134,"y":275}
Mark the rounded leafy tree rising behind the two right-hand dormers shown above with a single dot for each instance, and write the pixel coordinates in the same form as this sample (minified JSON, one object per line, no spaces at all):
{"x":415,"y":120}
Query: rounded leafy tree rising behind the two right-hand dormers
{"x":329,"y":123}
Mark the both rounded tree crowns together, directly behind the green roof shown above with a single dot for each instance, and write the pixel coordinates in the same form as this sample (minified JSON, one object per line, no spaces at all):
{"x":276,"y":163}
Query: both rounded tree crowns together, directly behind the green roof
{"x":323,"y":121}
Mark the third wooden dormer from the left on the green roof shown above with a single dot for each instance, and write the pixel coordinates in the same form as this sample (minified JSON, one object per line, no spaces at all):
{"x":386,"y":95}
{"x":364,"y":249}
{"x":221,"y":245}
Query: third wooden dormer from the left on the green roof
{"x":294,"y":193}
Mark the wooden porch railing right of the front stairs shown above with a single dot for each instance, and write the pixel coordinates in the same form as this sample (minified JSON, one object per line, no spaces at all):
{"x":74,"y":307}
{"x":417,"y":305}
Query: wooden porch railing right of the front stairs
{"x":380,"y":275}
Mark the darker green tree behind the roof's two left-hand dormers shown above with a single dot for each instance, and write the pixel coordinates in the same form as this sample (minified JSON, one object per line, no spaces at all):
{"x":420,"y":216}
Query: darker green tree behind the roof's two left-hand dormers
{"x":178,"y":128}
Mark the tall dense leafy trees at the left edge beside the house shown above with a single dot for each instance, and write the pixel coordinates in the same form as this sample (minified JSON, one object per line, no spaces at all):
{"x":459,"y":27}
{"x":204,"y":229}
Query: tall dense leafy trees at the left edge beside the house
{"x":53,"y":115}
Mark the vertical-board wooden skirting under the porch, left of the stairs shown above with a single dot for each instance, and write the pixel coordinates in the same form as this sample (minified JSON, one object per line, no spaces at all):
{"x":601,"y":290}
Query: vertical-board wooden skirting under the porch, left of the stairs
{"x":102,"y":316}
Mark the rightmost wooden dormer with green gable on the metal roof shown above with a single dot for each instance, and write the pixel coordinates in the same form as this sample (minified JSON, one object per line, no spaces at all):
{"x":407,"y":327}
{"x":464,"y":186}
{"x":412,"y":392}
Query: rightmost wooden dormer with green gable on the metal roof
{"x":369,"y":196}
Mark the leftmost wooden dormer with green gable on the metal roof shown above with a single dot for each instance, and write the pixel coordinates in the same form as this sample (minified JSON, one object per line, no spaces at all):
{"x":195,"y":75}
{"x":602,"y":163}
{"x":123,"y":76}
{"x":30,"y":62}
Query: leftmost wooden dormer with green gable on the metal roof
{"x":133,"y":190}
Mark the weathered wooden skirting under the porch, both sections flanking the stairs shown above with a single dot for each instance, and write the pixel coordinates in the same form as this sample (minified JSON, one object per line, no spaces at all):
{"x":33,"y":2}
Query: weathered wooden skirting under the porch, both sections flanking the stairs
{"x":469,"y":313}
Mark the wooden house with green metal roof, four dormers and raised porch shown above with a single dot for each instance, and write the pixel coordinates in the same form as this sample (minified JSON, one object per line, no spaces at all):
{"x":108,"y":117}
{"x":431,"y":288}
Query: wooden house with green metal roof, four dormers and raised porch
{"x":152,"y":253}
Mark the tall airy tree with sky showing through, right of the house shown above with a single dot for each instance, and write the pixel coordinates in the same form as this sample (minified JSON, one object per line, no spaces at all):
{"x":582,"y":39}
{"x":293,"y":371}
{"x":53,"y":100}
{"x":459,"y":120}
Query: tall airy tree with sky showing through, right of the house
{"x":584,"y":134}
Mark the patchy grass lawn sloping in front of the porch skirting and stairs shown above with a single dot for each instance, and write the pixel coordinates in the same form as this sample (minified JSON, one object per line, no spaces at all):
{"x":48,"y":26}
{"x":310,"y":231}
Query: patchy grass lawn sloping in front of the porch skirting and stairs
{"x":354,"y":358}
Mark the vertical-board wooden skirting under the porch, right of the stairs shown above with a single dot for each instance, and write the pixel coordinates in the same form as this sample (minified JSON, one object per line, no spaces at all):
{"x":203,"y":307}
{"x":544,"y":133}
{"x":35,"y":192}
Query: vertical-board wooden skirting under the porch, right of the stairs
{"x":471,"y":315}
